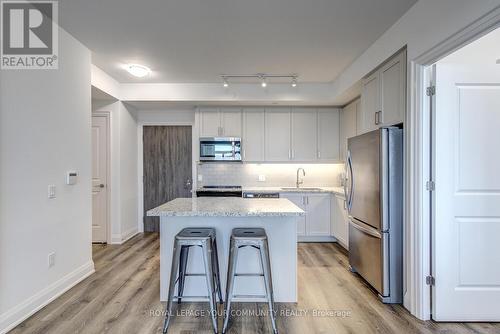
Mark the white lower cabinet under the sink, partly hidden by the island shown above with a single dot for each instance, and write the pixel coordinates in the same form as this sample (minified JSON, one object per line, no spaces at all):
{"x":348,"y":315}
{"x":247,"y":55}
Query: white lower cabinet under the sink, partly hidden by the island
{"x":315,"y":225}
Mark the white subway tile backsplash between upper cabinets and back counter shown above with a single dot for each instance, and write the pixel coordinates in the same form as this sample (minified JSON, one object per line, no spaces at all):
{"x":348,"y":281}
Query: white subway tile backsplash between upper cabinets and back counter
{"x":276,"y":175}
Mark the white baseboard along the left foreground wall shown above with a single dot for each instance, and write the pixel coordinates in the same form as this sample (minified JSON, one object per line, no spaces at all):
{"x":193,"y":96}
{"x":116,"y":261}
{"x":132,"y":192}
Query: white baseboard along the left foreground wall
{"x":30,"y":306}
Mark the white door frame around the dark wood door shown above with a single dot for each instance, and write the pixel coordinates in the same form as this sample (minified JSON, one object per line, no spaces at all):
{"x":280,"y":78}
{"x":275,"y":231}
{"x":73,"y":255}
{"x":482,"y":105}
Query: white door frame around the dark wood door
{"x":140,"y":162}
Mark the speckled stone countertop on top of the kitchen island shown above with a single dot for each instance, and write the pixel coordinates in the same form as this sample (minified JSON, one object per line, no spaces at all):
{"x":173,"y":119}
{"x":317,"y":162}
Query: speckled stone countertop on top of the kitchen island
{"x":227,"y":207}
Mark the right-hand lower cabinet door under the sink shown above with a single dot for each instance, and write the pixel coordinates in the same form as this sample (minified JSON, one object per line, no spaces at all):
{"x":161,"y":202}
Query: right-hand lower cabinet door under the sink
{"x":318,"y":214}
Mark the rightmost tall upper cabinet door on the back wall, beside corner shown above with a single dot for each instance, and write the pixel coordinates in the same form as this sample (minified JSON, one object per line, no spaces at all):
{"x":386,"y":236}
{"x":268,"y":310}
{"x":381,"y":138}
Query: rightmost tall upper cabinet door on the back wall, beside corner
{"x":328,"y":134}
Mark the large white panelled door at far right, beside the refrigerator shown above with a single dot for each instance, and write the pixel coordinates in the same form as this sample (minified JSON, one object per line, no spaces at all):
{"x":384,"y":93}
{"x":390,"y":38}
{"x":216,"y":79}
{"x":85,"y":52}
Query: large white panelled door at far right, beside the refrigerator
{"x":466,"y":227}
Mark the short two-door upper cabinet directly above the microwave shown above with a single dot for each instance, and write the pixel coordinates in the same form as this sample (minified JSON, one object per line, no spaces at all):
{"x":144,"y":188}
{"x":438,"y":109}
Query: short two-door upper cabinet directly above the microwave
{"x":216,"y":122}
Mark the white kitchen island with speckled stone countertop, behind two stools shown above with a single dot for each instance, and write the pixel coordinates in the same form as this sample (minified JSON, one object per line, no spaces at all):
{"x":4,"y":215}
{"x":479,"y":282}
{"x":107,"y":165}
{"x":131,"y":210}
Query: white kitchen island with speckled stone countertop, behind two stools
{"x":278,"y":216}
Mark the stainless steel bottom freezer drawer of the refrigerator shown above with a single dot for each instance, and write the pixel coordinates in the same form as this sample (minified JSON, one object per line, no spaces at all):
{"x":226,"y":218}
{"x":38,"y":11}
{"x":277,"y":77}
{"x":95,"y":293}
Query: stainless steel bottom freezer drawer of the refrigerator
{"x":367,"y":250}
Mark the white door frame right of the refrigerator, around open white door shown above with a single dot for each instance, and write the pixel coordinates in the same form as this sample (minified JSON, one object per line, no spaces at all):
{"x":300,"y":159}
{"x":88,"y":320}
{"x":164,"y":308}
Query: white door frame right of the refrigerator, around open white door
{"x":418,"y":159}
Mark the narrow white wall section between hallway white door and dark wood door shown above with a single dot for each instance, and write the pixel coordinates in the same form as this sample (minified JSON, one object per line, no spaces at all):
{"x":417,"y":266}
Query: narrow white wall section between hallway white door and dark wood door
{"x":123,"y":169}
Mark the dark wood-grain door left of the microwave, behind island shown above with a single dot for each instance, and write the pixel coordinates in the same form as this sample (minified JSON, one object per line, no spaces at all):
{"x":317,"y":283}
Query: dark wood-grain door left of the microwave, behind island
{"x":167,"y":167}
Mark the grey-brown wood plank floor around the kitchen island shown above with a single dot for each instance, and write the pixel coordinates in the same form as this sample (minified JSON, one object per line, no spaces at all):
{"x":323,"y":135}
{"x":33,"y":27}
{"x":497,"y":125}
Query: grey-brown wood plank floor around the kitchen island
{"x":123,"y":297}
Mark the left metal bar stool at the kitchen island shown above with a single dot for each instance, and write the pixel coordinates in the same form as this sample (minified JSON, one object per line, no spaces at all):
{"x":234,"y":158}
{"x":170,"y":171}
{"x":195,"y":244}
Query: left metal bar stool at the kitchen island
{"x":184,"y":240}
